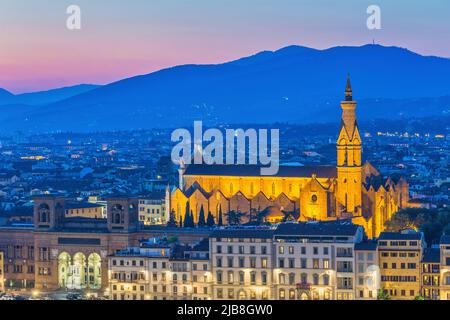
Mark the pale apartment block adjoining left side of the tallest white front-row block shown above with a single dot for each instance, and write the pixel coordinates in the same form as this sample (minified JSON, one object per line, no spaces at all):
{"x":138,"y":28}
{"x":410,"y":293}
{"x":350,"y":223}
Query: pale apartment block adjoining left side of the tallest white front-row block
{"x":242,"y":263}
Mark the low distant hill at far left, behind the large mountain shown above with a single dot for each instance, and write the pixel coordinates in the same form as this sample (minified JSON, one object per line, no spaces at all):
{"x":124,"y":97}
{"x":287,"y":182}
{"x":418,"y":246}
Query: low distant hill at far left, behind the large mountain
{"x":44,"y":97}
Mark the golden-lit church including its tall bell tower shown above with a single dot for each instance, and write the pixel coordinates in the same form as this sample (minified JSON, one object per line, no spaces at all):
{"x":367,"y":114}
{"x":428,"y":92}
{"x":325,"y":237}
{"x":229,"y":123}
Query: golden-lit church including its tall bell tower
{"x":349,"y":190}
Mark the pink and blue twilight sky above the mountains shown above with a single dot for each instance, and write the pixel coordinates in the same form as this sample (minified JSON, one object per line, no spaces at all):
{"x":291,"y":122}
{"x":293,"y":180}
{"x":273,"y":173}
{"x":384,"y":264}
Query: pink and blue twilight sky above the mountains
{"x":120,"y":38}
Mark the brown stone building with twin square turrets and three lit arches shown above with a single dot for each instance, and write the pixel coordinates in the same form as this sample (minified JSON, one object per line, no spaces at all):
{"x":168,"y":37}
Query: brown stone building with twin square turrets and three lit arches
{"x":62,"y":252}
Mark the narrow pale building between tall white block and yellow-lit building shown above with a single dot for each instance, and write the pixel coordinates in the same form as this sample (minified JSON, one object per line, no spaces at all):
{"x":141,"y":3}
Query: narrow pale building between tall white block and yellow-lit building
{"x":367,"y":271}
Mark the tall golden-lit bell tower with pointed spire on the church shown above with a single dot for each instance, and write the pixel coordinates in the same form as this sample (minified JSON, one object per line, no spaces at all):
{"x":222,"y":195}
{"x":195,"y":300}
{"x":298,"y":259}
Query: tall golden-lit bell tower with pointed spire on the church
{"x":349,"y":158}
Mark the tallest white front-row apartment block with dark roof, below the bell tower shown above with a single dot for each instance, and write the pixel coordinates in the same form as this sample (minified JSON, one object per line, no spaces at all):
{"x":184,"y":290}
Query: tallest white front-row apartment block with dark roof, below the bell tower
{"x":315,"y":260}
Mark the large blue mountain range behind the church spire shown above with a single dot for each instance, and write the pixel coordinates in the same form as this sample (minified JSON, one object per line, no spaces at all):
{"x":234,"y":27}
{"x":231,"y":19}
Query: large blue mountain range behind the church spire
{"x":294,"y":84}
